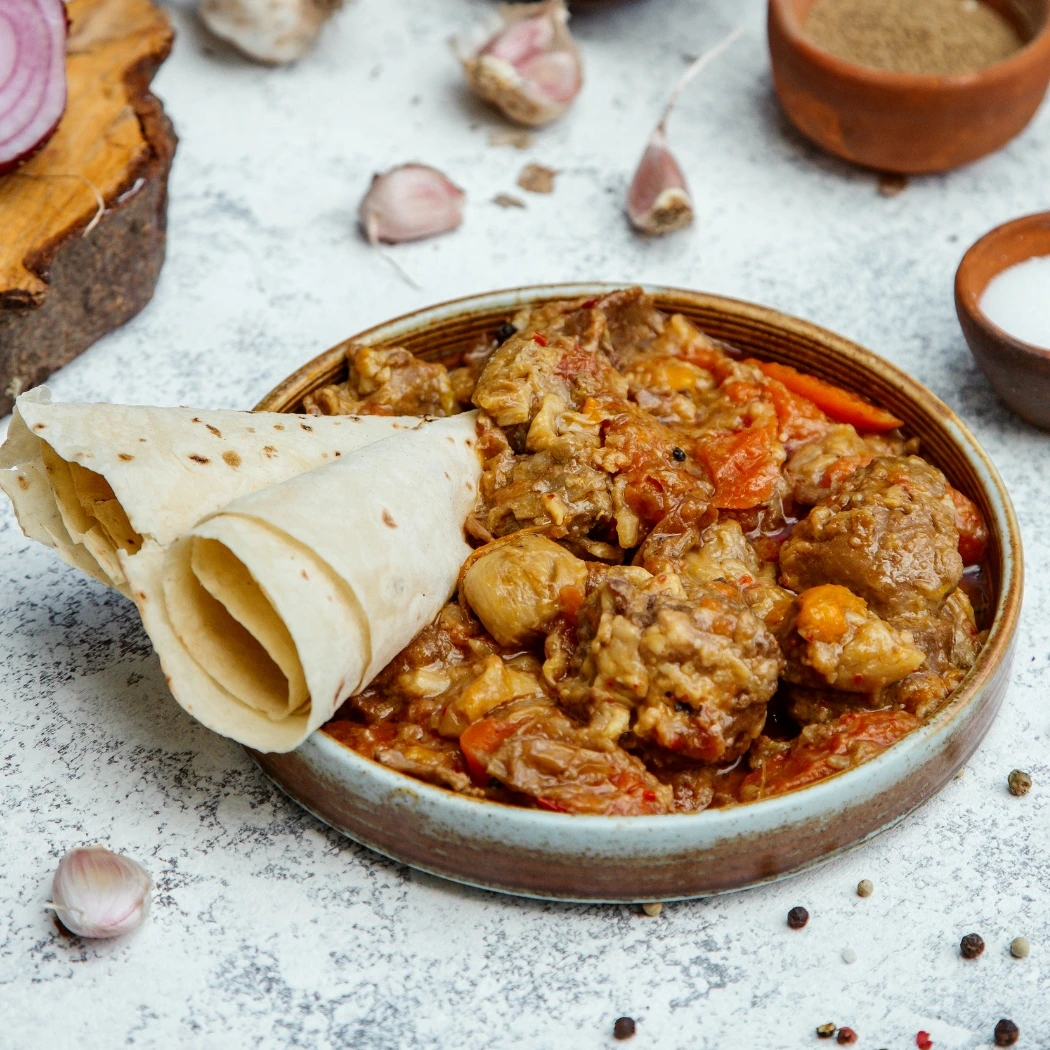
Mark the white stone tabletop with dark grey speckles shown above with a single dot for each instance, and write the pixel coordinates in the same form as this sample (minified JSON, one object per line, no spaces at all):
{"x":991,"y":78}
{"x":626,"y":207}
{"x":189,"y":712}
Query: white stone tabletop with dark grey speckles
{"x":268,"y":930}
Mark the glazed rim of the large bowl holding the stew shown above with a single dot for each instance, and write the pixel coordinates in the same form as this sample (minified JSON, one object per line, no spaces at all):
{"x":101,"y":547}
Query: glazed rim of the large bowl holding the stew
{"x":818,"y":796}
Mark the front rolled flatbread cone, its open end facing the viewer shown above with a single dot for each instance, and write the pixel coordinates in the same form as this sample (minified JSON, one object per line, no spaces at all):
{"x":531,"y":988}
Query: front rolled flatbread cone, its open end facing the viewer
{"x":268,"y":615}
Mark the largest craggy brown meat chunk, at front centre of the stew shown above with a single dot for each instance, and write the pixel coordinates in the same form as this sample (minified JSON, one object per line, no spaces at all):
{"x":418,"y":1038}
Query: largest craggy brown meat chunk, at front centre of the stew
{"x":696,"y":670}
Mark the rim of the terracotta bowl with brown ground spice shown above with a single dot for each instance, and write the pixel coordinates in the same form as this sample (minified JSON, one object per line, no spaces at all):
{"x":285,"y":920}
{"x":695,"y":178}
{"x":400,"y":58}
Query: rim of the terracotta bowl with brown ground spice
{"x":1035,"y":53}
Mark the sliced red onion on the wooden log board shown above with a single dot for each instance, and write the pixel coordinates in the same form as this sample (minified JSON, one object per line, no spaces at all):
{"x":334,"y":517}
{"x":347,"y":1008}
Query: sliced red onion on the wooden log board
{"x":33,"y":80}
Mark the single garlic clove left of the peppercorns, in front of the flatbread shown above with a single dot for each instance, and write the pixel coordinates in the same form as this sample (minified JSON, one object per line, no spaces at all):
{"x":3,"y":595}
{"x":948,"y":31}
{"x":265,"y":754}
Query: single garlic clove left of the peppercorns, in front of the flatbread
{"x":100,"y":894}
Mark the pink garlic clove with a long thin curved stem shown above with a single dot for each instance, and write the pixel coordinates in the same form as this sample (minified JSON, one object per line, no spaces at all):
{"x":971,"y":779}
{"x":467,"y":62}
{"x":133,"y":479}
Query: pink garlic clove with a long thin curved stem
{"x":659,"y":201}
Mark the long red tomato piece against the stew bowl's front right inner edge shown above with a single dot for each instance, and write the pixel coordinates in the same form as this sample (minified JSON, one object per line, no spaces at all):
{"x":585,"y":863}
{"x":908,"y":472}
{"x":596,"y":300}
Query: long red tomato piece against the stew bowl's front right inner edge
{"x":808,"y":761}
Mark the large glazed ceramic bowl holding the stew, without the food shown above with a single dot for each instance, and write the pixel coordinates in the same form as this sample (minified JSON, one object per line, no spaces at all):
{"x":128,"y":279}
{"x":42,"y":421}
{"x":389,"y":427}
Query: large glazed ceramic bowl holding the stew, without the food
{"x":538,"y":853}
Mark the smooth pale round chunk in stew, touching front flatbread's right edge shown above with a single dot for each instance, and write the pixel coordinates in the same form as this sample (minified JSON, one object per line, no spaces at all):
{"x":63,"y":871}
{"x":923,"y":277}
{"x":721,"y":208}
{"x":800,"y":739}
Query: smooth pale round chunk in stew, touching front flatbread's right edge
{"x":518,"y":586}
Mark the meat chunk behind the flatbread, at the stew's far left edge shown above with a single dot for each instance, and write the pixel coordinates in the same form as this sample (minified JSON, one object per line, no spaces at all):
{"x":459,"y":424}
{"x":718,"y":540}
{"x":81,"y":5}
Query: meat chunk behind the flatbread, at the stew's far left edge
{"x":386,"y":382}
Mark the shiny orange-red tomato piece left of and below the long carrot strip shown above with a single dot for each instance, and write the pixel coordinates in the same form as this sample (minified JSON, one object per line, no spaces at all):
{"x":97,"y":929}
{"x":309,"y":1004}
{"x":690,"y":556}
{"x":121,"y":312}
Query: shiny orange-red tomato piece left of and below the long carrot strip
{"x":745,"y":466}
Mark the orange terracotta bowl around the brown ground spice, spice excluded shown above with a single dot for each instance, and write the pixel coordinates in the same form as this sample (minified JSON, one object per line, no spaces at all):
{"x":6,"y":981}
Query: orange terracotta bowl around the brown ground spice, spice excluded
{"x":909,"y":123}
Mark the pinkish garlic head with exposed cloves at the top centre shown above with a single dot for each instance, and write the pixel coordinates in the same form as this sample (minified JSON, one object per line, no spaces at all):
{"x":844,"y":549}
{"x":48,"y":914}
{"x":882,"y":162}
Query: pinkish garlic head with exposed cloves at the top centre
{"x":528,"y":65}
